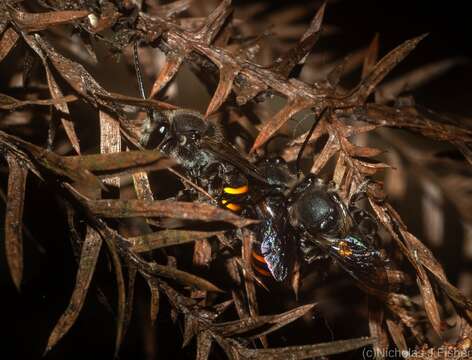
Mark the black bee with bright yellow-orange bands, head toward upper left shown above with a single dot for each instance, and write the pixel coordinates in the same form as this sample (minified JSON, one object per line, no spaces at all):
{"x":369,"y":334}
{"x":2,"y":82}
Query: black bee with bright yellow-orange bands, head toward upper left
{"x":215,"y":165}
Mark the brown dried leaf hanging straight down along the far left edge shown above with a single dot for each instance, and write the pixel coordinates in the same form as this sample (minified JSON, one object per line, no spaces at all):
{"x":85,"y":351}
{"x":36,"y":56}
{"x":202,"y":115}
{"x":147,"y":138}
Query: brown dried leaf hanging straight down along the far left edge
{"x":13,"y":218}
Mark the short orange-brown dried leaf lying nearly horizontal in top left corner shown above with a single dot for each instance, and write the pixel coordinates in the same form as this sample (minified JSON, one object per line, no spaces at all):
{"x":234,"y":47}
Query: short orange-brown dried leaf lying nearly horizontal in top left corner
{"x":40,"y":21}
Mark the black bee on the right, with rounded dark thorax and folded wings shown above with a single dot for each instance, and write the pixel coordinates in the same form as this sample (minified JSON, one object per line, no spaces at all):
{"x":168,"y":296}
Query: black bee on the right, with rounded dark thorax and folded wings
{"x":345,"y":233}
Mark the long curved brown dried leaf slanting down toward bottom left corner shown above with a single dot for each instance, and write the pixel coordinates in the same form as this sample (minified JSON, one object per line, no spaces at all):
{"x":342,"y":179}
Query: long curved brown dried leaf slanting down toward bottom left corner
{"x":88,"y":260}
